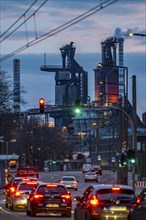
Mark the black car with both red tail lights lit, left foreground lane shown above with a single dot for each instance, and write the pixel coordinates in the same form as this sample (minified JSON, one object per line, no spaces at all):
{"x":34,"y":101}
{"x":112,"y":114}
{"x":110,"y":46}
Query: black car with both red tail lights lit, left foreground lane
{"x":51,"y":198}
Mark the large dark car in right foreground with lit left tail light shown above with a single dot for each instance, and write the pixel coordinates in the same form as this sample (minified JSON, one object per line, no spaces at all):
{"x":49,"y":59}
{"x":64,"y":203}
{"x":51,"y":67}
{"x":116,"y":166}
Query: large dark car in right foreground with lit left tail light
{"x":104,"y":201}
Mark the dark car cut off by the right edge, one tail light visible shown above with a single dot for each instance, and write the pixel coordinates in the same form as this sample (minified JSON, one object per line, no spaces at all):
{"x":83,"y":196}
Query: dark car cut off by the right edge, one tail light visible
{"x":138,"y":211}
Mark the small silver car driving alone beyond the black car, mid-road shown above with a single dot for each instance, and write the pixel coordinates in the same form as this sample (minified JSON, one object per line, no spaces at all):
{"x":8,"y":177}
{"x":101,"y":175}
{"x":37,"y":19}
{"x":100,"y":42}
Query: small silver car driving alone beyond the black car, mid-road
{"x":70,"y":182}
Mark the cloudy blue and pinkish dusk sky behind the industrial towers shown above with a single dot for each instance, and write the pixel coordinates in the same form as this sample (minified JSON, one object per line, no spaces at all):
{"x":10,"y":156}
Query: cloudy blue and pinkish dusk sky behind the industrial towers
{"x":119,"y":18}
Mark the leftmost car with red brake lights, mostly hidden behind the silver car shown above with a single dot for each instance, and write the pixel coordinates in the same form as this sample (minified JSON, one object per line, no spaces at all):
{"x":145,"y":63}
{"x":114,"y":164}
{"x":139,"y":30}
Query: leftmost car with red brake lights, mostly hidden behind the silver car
{"x":11,"y":187}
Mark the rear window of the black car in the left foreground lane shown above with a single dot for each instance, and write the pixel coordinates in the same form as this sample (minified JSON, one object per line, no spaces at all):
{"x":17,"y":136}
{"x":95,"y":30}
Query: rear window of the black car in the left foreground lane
{"x":51,"y":190}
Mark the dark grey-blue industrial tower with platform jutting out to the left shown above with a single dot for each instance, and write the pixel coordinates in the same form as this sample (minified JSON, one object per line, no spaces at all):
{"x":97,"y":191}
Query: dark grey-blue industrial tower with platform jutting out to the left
{"x":71,"y":79}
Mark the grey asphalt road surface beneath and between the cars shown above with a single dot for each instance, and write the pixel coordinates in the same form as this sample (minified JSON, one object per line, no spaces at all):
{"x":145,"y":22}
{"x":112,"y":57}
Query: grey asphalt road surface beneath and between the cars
{"x":6,"y":214}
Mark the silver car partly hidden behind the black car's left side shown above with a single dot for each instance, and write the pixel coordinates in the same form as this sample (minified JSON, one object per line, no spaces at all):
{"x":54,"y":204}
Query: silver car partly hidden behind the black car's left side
{"x":18,"y":199}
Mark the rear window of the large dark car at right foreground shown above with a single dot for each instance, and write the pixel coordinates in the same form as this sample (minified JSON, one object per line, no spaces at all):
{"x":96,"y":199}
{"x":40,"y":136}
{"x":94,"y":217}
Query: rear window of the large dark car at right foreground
{"x":107,"y":194}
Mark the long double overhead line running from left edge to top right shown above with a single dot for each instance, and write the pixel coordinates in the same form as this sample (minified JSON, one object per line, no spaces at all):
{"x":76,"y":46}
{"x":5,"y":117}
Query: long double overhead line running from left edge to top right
{"x":61,"y":27}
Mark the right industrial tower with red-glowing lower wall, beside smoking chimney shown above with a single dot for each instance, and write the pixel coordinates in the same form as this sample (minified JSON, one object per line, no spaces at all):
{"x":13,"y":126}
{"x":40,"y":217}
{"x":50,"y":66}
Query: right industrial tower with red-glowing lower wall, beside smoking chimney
{"x":110,"y":77}
